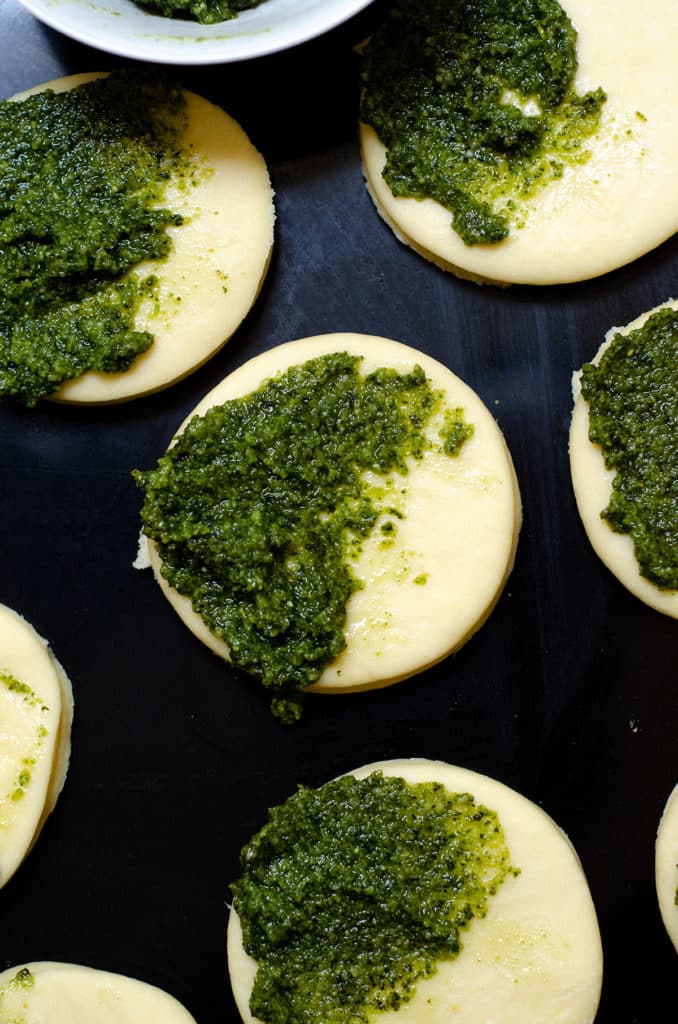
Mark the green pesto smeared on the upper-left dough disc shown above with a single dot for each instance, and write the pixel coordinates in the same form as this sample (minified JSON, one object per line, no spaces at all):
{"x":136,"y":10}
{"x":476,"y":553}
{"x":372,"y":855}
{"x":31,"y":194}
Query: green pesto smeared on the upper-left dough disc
{"x":82,"y":181}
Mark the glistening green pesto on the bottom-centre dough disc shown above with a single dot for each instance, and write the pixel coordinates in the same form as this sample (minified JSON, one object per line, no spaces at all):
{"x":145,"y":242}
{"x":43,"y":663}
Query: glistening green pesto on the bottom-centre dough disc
{"x":353,"y":893}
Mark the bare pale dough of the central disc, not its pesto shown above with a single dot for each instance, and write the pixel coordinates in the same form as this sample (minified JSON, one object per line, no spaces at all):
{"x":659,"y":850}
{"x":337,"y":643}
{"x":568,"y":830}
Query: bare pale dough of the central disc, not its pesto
{"x":461,"y":530}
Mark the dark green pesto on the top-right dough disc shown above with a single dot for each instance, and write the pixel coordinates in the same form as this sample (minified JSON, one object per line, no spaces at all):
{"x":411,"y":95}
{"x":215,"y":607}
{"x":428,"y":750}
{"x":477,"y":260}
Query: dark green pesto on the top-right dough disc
{"x":476,"y":104}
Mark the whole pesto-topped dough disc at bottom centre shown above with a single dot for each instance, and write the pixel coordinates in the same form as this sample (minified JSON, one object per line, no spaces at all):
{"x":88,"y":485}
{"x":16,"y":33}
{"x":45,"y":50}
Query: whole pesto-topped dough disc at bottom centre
{"x":535,"y":955}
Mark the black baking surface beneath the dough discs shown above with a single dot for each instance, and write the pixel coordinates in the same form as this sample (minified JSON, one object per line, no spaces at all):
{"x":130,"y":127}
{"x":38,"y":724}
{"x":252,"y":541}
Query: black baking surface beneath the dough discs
{"x":568,"y":694}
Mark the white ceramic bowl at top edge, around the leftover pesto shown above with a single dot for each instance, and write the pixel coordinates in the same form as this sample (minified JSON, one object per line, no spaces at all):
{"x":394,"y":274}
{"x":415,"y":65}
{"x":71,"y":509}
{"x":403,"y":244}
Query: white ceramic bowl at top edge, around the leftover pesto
{"x":122,"y":27}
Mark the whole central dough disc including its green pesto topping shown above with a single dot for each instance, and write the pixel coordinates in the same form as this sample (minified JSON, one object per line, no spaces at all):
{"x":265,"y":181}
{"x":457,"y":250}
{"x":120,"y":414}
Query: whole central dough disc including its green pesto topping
{"x":441,"y":537}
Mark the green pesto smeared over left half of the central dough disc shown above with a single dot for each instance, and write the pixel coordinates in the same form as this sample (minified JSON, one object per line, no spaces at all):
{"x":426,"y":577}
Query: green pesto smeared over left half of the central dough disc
{"x":263,"y":502}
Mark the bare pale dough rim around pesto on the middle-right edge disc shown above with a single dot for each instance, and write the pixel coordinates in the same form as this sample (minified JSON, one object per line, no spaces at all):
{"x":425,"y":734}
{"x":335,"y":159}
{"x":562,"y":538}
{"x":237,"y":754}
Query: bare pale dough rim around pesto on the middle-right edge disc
{"x":594,"y":488}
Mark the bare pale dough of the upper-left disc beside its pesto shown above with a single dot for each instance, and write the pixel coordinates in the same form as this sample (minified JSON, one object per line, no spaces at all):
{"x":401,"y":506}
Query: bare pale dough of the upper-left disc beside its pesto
{"x":213,"y":277}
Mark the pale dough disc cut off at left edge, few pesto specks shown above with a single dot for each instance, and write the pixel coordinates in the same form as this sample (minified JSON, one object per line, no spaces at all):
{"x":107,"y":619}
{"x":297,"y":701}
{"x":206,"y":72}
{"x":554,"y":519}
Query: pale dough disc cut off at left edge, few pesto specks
{"x":35,"y":737}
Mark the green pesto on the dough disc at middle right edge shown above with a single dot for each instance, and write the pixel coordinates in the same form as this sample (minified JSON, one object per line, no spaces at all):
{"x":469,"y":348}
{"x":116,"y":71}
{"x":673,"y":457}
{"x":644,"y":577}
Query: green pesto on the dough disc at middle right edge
{"x":633,"y":413}
